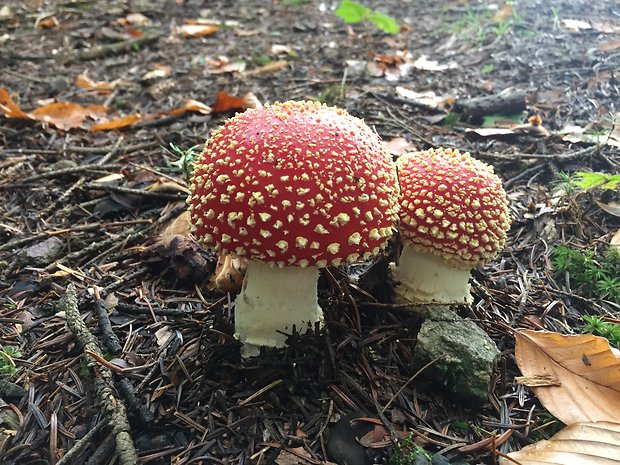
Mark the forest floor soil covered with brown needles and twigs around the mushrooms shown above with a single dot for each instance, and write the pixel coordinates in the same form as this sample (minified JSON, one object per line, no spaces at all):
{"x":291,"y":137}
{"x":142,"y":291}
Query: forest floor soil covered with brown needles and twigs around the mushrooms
{"x":88,"y":207}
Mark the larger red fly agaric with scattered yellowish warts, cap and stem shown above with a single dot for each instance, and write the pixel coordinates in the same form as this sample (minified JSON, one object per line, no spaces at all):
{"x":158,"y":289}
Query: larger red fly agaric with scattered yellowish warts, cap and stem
{"x":292,"y":187}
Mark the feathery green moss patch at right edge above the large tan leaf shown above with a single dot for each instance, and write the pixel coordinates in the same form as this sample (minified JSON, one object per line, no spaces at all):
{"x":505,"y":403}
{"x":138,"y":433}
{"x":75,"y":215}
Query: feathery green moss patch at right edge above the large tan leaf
{"x":593,"y":274}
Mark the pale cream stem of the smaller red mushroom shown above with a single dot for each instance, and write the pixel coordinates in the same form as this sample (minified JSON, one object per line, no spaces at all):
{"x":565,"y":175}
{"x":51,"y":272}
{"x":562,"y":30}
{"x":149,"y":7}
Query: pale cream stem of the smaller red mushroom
{"x":425,"y":278}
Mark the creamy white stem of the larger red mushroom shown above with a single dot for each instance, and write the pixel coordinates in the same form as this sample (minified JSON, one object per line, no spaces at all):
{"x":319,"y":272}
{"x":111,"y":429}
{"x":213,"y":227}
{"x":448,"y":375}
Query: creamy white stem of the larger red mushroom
{"x":271,"y":302}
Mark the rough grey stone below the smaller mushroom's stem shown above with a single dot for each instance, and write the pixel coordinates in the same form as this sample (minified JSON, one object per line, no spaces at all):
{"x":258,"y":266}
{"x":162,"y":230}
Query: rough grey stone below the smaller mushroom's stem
{"x":465,"y":354}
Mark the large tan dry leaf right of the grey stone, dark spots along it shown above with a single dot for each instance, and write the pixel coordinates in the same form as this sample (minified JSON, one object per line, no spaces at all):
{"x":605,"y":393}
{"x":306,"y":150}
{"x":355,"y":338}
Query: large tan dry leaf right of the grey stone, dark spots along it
{"x":584,"y":365}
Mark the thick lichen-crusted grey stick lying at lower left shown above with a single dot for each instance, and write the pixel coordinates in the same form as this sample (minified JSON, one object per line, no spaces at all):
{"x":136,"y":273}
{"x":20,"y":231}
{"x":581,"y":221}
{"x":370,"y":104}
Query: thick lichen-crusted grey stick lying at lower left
{"x":103,"y":381}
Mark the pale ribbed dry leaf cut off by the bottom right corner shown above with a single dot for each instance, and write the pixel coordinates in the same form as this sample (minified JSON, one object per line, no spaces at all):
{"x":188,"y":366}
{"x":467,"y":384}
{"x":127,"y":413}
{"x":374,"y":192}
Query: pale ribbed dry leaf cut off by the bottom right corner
{"x":595,"y":443}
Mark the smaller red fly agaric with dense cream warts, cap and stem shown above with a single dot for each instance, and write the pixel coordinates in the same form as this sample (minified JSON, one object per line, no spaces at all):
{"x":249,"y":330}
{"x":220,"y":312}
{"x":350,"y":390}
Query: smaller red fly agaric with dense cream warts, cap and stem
{"x":453,"y":217}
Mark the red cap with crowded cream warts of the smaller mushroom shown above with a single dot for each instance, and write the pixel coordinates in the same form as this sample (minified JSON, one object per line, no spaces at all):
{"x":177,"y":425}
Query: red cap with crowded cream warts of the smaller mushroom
{"x":452,"y":206}
